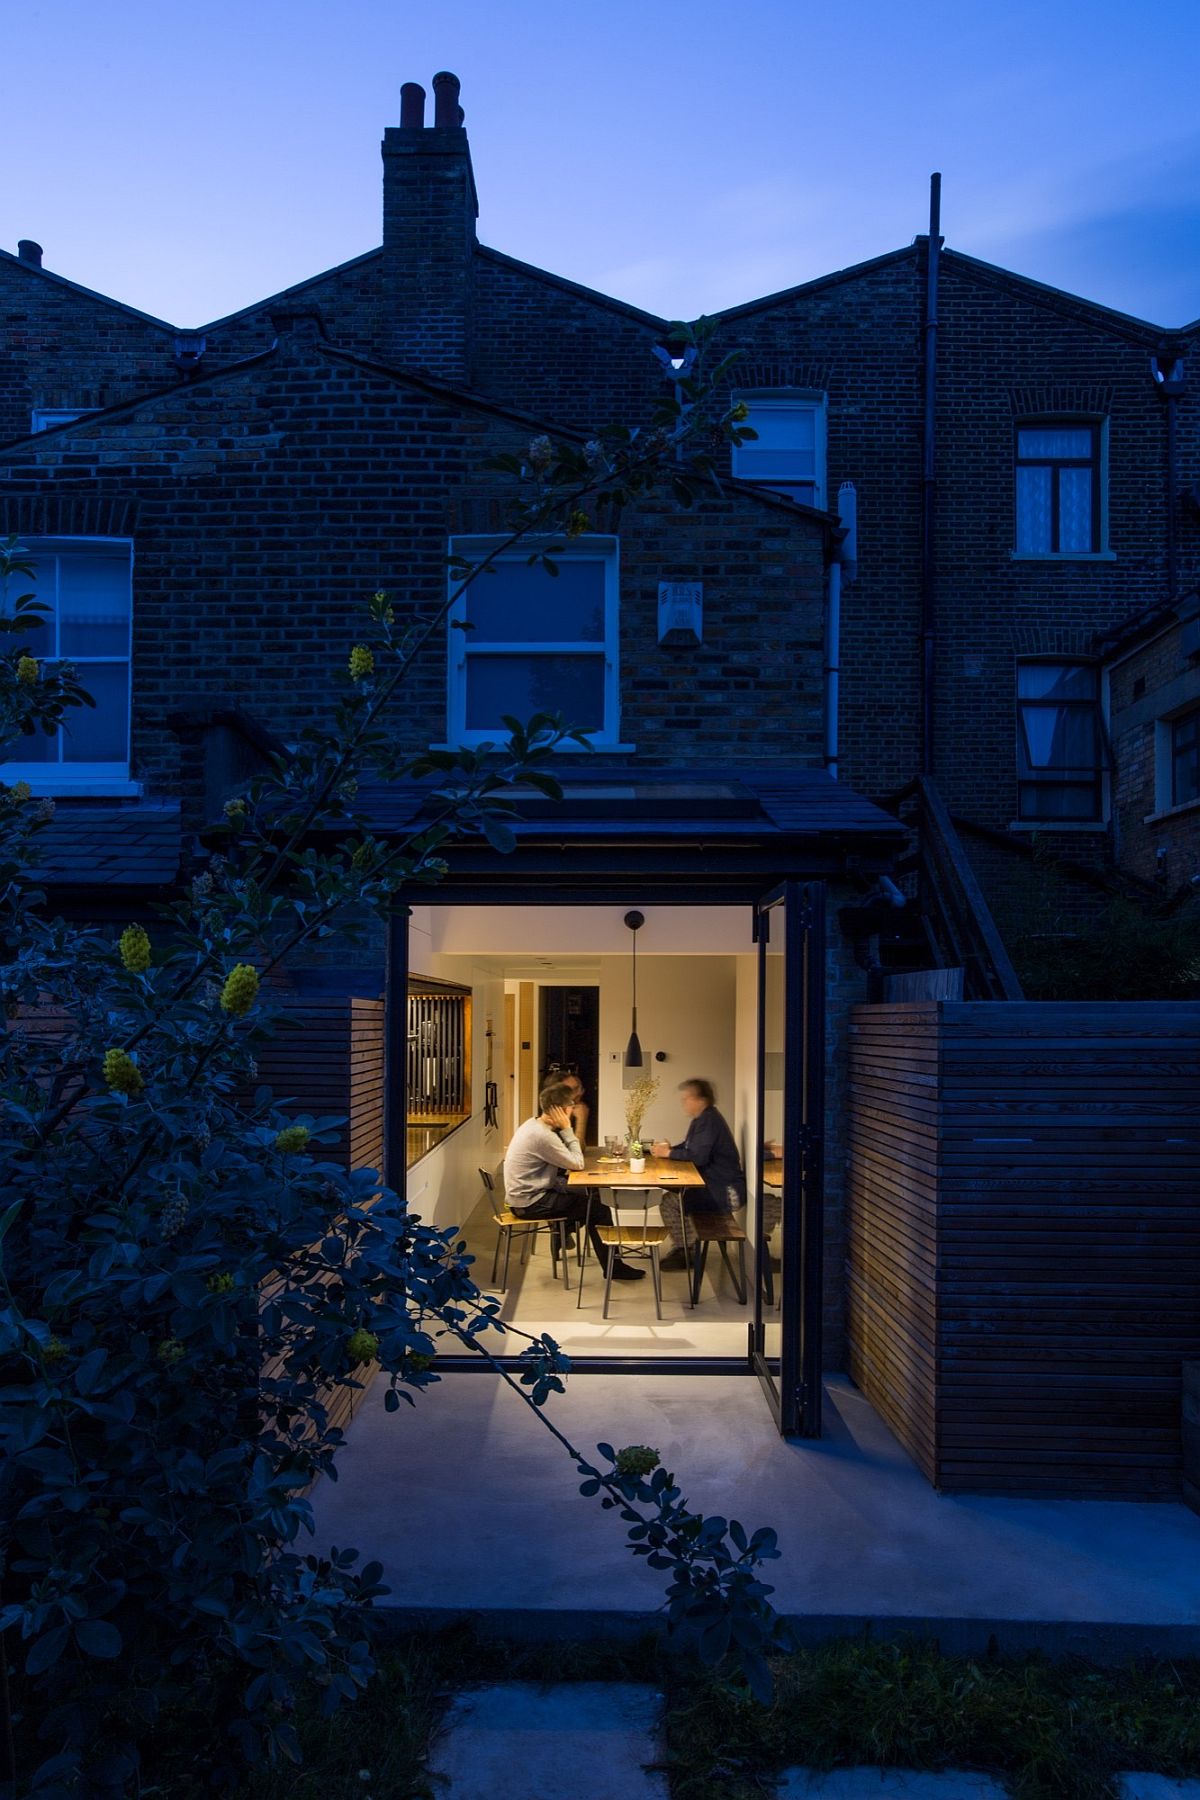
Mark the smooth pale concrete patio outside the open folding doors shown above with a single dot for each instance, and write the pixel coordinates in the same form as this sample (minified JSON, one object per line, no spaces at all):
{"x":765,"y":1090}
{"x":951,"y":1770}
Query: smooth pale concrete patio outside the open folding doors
{"x":472,"y":1479}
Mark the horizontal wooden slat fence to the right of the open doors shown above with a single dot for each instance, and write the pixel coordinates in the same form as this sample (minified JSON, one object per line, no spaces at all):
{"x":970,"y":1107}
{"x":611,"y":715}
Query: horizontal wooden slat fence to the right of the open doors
{"x":1025,"y":1237}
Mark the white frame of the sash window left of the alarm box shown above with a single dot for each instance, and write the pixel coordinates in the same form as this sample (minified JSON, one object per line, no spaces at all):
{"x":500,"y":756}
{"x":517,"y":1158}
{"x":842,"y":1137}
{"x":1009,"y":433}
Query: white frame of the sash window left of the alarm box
{"x":461,"y":645}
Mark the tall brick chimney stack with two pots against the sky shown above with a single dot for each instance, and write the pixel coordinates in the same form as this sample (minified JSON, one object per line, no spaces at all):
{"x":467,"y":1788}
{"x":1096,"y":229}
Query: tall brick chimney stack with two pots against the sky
{"x":429,"y":235}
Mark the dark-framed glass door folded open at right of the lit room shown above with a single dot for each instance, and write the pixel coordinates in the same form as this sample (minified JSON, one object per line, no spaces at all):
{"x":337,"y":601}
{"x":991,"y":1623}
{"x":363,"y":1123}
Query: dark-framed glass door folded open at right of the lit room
{"x":787,"y":1201}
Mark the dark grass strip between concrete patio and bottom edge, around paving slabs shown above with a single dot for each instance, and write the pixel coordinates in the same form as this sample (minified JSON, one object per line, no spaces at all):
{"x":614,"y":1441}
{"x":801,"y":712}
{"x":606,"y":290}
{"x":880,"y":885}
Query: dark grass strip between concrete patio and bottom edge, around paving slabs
{"x":1048,"y":1731}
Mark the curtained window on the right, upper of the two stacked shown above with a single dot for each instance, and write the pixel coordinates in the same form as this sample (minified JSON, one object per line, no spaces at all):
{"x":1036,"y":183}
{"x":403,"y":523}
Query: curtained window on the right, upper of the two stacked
{"x":1059,"y":489}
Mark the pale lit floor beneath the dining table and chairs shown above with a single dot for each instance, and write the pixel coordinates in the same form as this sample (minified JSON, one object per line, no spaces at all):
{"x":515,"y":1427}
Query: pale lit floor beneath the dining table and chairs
{"x":537,"y":1302}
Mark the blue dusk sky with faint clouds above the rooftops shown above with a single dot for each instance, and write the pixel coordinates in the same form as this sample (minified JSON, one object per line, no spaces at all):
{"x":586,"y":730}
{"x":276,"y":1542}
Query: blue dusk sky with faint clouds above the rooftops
{"x":681,"y":156}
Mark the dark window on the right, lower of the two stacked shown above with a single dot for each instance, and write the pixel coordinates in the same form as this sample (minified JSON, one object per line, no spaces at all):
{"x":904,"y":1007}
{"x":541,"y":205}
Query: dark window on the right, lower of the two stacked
{"x":1059,"y":742}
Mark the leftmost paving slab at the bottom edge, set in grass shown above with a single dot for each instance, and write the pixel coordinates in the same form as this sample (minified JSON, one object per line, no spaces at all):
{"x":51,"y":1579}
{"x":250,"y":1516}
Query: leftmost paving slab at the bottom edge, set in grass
{"x":580,"y":1740}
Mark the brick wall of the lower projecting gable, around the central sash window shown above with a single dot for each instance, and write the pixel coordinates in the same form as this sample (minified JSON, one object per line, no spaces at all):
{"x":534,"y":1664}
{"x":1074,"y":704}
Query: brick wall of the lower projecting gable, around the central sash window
{"x":269,"y":503}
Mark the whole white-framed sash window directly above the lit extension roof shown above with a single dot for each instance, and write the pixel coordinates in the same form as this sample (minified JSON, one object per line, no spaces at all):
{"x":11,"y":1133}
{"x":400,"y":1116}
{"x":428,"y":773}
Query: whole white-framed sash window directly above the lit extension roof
{"x":537,"y":643}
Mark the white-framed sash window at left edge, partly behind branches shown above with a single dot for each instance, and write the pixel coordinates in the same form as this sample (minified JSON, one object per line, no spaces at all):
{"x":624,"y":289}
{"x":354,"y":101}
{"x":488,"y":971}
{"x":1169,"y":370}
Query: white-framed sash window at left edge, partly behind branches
{"x":87,"y":586}
